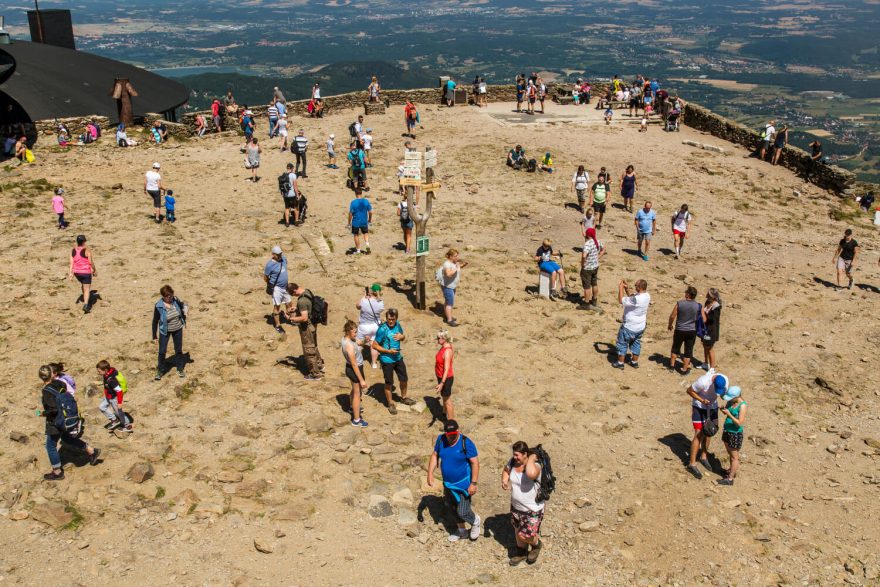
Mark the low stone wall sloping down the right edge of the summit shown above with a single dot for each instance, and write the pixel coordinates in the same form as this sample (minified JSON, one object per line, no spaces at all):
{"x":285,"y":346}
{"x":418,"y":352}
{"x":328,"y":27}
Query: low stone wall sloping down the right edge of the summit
{"x":828,"y":177}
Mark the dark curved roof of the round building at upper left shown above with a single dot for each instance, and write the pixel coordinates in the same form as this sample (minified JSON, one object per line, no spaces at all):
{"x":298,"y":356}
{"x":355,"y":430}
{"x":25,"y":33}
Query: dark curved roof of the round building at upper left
{"x":52,"y":82}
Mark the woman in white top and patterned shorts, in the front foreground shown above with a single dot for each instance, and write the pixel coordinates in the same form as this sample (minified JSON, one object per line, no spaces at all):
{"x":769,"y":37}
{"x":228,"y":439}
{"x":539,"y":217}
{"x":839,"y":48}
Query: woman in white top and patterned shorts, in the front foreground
{"x":522,"y":476}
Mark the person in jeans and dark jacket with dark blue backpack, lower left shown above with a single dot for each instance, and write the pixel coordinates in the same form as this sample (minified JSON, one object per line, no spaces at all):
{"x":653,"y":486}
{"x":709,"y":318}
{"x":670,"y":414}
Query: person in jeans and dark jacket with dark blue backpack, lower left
{"x":63,"y":424}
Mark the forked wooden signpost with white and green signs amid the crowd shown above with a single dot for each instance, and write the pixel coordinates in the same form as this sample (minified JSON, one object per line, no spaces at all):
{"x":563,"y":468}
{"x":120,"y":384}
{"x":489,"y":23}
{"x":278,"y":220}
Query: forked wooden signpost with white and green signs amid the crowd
{"x":412,"y":182}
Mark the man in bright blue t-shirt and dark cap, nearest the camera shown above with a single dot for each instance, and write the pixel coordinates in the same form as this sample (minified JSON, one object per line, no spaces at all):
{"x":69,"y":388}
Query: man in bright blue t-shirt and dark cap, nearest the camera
{"x":460,"y":466}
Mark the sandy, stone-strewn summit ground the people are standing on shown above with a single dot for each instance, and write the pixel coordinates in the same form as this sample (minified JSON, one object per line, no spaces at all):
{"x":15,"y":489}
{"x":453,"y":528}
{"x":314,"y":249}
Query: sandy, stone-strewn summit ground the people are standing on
{"x":245,"y":474}
